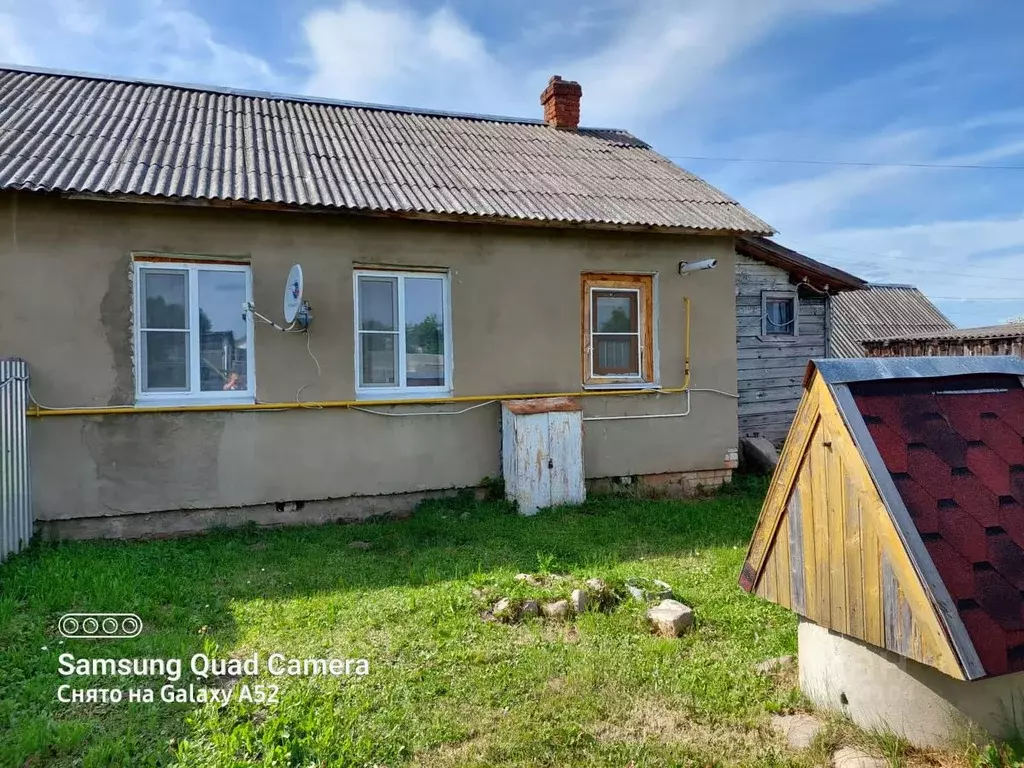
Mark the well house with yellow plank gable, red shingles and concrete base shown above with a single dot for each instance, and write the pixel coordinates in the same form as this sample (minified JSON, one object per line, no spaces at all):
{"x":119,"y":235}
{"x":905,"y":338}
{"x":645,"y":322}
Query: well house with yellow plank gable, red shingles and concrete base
{"x":894,"y":527}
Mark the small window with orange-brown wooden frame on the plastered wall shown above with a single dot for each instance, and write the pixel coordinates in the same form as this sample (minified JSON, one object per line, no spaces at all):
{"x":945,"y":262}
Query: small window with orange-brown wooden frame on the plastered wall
{"x":618,"y":329}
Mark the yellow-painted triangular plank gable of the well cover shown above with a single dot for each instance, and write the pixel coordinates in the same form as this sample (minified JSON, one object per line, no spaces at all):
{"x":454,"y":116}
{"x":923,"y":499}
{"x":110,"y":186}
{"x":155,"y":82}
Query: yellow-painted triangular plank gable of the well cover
{"x":827,"y":547}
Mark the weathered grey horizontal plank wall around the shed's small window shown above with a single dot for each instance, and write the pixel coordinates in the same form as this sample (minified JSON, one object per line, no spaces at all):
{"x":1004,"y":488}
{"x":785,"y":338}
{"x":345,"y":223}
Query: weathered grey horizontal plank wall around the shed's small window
{"x":771,"y":372}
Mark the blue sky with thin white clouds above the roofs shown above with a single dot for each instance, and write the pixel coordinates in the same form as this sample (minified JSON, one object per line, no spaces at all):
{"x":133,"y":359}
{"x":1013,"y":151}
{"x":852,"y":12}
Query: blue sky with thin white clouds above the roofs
{"x":875,"y":81}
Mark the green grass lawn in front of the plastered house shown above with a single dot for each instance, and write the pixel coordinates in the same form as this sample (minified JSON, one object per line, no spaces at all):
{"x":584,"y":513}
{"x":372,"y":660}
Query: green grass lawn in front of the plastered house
{"x":445,"y":689}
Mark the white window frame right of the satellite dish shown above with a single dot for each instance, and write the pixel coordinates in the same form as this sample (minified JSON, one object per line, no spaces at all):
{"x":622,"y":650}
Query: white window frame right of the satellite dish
{"x":403,"y":390}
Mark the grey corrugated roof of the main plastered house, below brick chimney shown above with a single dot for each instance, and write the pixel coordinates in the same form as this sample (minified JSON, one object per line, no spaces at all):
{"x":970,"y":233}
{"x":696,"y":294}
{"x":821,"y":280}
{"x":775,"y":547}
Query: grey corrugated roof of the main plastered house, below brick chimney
{"x":81,"y":134}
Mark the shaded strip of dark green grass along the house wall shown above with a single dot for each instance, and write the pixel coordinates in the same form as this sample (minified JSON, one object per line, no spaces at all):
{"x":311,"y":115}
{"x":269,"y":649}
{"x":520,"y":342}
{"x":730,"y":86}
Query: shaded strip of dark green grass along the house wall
{"x":188,"y":590}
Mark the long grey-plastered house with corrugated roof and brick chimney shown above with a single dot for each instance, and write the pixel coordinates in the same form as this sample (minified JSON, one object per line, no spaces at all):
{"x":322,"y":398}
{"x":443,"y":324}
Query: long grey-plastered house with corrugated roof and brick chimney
{"x":450,"y":263}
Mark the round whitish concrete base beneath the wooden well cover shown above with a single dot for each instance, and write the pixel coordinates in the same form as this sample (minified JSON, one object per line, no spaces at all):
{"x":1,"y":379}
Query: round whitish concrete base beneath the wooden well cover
{"x":880,"y":690}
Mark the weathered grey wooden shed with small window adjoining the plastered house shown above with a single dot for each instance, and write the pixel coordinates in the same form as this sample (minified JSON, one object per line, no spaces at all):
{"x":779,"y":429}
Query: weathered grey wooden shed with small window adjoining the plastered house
{"x":784,"y":312}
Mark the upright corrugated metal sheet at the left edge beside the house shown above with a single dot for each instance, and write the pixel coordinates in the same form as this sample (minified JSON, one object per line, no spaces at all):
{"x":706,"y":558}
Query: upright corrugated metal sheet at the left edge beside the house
{"x":16,"y":485}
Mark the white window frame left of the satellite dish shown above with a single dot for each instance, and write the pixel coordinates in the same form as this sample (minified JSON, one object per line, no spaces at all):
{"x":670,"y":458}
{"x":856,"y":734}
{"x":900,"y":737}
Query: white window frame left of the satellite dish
{"x":195,"y":396}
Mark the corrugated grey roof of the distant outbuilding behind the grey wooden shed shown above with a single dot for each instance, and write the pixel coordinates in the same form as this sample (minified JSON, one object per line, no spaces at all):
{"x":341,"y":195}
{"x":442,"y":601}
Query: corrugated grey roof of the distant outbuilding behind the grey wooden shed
{"x":881,"y":312}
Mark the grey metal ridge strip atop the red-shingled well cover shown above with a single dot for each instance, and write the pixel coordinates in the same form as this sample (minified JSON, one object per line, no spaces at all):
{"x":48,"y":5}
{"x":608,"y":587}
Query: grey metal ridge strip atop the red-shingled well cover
{"x":872,"y":369}
